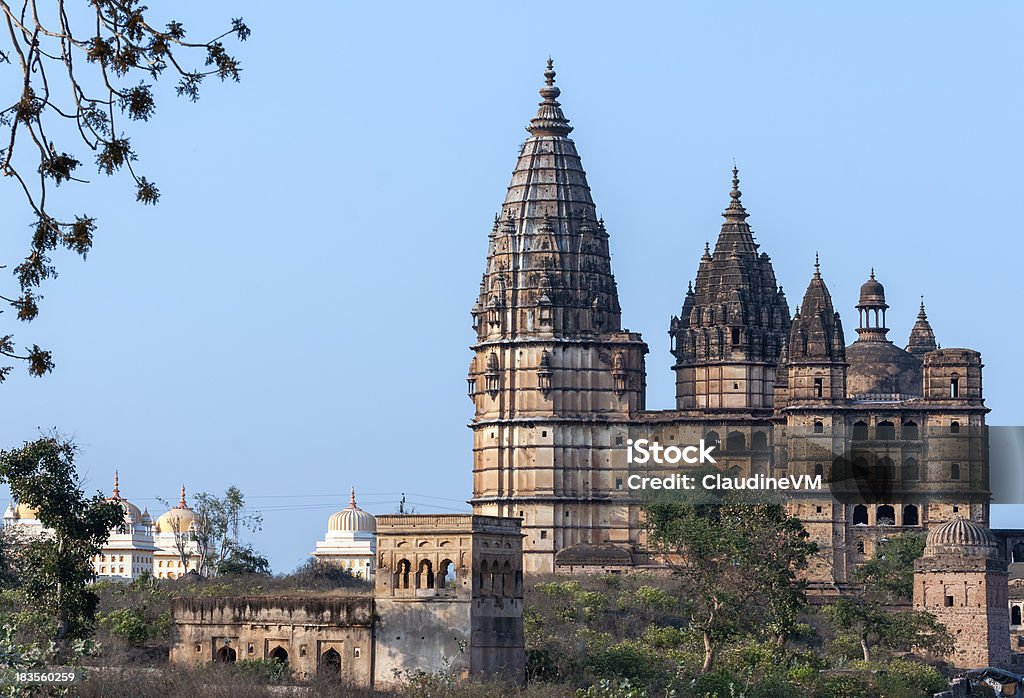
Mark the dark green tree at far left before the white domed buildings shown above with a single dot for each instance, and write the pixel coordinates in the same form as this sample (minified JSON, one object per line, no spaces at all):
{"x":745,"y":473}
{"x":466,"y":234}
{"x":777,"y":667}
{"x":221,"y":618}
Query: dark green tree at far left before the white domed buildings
{"x":56,"y":570}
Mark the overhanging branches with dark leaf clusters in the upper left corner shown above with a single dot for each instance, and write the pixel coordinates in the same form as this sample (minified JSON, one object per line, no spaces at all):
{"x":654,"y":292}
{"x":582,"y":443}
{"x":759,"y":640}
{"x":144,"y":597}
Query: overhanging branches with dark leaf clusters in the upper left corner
{"x":82,"y":72}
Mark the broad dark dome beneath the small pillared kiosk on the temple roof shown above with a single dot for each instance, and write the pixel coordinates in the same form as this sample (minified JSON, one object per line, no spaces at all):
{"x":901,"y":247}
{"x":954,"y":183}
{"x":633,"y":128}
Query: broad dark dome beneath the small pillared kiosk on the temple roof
{"x":882,"y":369}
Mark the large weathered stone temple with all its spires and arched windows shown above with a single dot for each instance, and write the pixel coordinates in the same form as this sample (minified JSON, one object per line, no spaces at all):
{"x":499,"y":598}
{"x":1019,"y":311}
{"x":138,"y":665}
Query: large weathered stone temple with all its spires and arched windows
{"x":559,"y":386}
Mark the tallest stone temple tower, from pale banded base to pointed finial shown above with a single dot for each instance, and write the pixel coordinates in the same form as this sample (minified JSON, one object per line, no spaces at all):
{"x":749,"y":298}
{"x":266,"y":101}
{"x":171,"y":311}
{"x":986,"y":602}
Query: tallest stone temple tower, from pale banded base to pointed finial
{"x":552,"y":369}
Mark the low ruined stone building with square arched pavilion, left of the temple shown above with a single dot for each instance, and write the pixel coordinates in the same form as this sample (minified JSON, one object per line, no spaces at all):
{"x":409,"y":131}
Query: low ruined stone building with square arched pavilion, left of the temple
{"x":448,"y":597}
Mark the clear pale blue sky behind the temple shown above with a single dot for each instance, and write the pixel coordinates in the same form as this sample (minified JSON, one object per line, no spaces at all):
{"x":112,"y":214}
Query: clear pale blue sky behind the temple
{"x":293,"y":318}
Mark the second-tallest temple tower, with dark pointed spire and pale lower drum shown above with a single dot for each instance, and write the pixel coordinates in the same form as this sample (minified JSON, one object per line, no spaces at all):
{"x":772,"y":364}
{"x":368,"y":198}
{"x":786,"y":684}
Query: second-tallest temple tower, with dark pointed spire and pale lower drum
{"x":734,"y":324}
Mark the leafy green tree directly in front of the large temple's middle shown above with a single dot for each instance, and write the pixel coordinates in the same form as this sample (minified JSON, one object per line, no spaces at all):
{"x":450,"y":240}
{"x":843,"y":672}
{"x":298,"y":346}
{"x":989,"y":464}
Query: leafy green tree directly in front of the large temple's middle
{"x":739,"y":556}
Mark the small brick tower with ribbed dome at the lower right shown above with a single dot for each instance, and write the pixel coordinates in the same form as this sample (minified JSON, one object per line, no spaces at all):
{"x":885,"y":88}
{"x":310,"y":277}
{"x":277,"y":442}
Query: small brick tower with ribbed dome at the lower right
{"x":963,"y":582}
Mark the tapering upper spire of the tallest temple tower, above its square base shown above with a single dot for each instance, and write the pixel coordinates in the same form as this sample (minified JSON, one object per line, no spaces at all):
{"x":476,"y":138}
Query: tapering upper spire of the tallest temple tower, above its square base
{"x":548,"y":271}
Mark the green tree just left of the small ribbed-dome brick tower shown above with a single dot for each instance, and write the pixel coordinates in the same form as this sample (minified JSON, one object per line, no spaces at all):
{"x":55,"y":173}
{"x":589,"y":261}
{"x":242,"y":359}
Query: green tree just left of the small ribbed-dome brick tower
{"x":886,"y":580}
